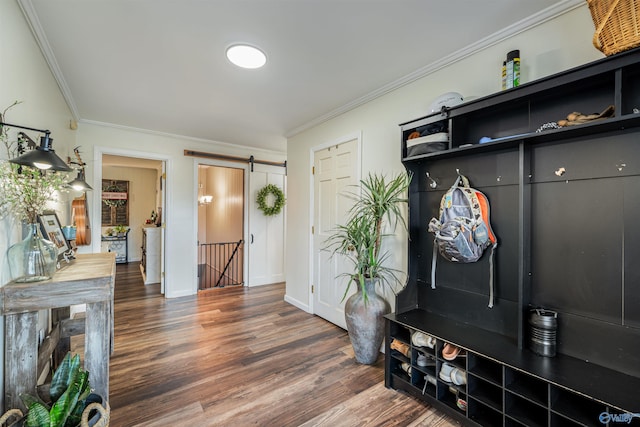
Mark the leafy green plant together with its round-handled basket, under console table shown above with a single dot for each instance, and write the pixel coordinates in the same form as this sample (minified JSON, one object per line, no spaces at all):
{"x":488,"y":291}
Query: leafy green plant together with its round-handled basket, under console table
{"x":71,"y":401}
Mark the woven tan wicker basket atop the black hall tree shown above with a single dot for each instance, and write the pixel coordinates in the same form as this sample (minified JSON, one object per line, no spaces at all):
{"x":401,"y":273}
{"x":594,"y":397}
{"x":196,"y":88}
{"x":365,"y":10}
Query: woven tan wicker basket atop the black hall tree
{"x":617,"y":25}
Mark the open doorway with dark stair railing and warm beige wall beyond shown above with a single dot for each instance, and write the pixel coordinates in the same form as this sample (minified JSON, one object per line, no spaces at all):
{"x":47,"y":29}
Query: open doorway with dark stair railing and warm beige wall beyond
{"x":220,"y":227}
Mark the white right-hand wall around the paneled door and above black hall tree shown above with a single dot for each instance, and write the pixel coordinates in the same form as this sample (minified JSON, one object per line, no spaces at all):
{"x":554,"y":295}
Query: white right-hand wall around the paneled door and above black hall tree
{"x":556,"y":45}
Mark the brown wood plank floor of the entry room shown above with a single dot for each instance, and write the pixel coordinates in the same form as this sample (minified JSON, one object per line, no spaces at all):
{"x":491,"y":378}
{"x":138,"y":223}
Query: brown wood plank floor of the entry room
{"x":239,"y":357}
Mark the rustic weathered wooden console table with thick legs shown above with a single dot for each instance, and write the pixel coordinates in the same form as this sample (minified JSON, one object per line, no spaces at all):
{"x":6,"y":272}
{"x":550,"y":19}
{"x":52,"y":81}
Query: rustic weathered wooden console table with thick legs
{"x":89,"y":280}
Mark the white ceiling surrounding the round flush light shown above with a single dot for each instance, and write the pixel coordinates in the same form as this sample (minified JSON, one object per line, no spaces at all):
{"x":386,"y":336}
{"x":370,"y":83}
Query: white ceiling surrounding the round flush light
{"x":159,"y":64}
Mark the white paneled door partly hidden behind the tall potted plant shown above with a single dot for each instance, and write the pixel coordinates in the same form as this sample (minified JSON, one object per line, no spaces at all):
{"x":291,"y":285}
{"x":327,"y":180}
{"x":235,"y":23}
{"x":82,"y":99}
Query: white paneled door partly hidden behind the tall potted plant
{"x":335,"y":168}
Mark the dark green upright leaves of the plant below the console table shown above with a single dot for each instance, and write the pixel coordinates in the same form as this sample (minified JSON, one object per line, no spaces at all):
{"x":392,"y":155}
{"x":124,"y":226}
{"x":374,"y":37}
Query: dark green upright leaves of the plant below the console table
{"x":69,"y":391}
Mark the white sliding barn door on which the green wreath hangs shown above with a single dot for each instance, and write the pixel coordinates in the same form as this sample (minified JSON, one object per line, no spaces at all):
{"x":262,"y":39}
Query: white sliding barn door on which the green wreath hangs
{"x":265,"y":243}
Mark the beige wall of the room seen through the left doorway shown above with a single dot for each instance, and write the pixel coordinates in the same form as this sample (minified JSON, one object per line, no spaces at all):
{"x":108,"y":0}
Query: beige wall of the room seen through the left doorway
{"x":142,"y":200}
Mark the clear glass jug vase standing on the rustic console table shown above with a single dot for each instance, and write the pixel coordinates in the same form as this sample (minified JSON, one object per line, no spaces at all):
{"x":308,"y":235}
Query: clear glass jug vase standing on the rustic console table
{"x":33,"y":259}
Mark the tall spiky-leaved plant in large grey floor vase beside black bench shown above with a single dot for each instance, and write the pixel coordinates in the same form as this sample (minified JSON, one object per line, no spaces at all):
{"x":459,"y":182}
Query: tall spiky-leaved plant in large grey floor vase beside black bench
{"x":377,"y":205}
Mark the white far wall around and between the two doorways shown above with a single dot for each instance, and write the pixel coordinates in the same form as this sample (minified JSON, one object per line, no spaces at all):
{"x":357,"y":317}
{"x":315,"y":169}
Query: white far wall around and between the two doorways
{"x":181,"y":210}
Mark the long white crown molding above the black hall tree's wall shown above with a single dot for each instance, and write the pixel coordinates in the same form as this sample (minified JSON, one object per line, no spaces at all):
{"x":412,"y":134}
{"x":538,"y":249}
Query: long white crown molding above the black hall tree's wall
{"x":532,"y":21}
